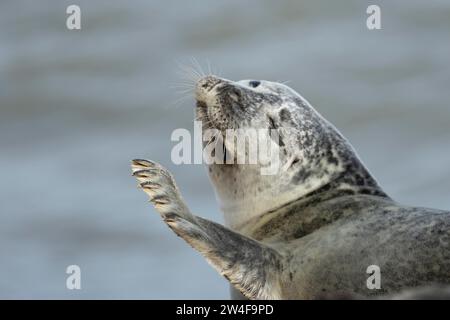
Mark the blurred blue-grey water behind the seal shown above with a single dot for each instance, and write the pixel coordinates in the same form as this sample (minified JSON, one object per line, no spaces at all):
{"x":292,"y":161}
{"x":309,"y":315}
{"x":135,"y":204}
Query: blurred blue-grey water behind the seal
{"x":76,"y":106}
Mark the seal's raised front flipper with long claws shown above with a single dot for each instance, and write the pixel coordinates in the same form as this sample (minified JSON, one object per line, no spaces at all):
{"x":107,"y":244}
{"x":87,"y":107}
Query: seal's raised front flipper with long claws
{"x":252,"y":267}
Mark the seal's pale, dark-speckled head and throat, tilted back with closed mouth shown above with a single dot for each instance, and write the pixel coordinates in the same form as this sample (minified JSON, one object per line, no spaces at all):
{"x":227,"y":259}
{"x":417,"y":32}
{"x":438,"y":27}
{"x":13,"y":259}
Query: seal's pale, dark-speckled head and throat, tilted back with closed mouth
{"x":313,"y":155}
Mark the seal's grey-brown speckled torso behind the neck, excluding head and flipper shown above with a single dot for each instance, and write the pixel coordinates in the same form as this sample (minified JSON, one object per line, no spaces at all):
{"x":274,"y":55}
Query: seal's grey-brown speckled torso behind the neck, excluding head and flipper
{"x":330,"y":244}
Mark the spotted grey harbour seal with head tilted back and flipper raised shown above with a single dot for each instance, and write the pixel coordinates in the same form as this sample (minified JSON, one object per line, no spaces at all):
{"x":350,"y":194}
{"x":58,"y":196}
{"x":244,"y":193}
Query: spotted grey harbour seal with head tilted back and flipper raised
{"x":312,"y":229}
